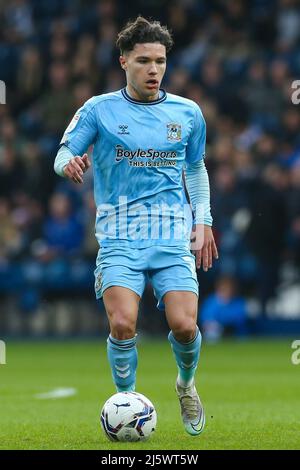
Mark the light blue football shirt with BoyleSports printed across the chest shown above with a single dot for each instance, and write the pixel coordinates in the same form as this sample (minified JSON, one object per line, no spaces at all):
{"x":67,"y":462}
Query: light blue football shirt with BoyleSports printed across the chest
{"x":140,"y":151}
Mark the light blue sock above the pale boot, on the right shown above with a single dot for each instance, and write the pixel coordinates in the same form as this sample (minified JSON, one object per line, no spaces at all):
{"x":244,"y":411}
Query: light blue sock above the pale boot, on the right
{"x":187,"y":357}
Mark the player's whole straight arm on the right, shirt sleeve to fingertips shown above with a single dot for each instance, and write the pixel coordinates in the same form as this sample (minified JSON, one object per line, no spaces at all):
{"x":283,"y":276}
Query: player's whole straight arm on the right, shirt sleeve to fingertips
{"x":197,"y":183}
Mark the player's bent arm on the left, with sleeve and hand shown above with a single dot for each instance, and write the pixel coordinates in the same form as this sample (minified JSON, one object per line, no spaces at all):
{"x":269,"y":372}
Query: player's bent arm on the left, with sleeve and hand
{"x":71,"y":160}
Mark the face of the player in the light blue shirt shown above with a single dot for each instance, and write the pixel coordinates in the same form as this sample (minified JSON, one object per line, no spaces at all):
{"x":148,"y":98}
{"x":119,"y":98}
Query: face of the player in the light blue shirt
{"x":145,"y":66}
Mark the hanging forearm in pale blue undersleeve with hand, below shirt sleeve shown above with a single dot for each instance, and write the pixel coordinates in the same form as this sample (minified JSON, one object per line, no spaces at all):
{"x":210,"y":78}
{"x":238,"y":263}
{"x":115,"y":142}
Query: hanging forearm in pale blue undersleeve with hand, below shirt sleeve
{"x":197,"y":184}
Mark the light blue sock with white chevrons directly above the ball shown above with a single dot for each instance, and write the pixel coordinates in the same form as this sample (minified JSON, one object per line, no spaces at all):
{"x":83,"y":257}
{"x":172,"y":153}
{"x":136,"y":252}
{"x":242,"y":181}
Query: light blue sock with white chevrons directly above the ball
{"x":122,"y":356}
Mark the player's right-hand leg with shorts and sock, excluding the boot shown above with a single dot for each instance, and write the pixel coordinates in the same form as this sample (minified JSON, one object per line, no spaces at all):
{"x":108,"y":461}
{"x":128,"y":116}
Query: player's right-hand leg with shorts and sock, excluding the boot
{"x":175,"y":284}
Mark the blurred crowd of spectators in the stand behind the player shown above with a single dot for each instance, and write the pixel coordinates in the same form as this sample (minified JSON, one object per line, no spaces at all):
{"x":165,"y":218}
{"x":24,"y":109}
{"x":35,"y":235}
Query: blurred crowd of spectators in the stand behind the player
{"x":236,"y":59}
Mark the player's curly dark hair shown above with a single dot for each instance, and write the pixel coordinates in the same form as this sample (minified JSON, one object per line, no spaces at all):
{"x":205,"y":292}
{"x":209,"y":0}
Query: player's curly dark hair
{"x":141,"y":31}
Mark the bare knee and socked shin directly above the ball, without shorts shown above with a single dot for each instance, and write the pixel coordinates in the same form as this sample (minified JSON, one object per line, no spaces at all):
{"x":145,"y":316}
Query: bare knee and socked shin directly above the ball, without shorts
{"x":121,"y":305}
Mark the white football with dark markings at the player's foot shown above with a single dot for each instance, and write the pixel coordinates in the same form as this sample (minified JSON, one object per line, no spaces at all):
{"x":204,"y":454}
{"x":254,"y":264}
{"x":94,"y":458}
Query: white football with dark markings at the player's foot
{"x":128,"y":417}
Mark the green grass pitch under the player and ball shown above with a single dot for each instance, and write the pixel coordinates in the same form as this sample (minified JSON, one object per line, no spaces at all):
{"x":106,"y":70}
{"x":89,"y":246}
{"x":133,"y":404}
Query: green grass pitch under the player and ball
{"x":250,"y":391}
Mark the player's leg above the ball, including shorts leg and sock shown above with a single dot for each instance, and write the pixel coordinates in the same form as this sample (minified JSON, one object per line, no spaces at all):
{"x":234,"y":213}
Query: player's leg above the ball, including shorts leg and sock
{"x":120,"y":280}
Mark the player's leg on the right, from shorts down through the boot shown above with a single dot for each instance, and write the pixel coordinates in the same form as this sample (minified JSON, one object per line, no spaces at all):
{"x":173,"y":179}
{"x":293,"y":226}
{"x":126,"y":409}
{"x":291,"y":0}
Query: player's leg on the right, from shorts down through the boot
{"x":175,"y":285}
